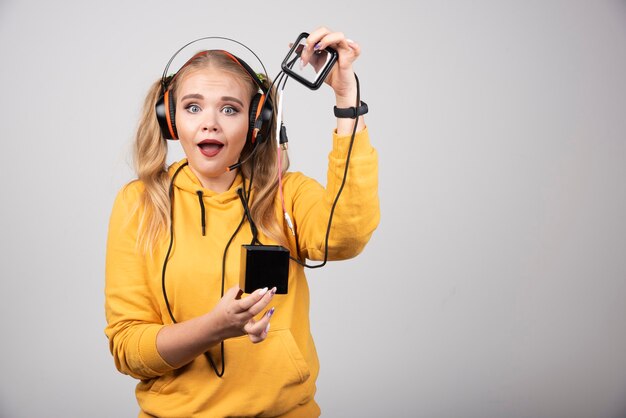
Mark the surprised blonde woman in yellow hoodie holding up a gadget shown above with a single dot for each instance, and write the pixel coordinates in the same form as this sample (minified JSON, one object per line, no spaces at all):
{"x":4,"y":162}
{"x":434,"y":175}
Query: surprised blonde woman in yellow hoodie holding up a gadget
{"x":175,"y":237}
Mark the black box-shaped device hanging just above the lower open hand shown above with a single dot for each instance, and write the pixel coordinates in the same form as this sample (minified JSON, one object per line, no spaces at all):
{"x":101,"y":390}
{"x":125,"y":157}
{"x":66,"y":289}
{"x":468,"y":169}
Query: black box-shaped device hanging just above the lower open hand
{"x":264,"y":266}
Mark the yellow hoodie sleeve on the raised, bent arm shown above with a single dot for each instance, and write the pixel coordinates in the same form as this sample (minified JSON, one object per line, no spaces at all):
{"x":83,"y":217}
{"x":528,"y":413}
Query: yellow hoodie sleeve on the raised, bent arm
{"x":357,"y":213}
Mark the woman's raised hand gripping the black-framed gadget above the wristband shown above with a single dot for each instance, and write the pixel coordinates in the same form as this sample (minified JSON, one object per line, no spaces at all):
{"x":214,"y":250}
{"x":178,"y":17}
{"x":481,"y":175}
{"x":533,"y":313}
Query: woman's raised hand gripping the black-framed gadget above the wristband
{"x":341,"y":78}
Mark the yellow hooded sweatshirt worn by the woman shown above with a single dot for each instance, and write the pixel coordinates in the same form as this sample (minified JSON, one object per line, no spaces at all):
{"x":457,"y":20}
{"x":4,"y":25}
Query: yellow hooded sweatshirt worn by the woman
{"x":273,"y":378}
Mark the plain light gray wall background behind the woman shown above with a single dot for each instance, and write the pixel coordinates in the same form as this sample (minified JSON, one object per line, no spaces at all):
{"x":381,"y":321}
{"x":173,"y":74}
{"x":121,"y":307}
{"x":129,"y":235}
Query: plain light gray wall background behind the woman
{"x":495,"y":284}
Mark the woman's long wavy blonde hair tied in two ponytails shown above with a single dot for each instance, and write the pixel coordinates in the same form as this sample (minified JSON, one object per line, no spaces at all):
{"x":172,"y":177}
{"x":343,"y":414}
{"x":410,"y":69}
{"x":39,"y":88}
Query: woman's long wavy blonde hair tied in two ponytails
{"x":150,"y":152}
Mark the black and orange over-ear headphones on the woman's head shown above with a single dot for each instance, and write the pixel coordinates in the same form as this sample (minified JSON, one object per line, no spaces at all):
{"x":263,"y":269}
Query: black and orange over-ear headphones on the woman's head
{"x":261,"y":108}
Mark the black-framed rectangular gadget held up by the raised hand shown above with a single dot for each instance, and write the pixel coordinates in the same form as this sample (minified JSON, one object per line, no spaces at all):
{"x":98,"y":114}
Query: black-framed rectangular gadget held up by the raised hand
{"x":315,"y":71}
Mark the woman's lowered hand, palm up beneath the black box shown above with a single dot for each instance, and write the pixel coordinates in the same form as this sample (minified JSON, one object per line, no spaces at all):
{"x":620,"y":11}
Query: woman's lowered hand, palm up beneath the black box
{"x":235,"y":317}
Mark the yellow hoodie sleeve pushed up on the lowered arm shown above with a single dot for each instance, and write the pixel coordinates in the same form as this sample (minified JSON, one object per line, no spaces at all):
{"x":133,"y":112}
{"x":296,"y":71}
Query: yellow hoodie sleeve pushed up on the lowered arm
{"x":132,"y":313}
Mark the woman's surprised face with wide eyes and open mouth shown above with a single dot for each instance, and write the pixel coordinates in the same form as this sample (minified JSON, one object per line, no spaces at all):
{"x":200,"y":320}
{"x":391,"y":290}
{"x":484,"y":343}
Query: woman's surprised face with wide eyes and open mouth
{"x":212,"y":123}
